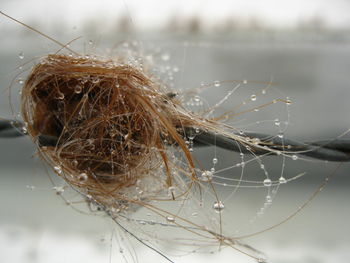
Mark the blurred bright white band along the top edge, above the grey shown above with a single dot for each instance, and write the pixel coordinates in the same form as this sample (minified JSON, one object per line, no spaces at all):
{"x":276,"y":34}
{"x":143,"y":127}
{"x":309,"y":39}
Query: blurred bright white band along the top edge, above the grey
{"x":154,"y":13}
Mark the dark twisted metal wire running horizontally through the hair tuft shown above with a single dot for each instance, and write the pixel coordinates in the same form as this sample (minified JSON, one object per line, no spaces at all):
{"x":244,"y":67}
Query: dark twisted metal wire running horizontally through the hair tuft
{"x":336,"y":150}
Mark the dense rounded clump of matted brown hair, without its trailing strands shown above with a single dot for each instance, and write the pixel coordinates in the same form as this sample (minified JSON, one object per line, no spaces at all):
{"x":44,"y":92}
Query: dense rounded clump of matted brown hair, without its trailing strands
{"x":112,"y":125}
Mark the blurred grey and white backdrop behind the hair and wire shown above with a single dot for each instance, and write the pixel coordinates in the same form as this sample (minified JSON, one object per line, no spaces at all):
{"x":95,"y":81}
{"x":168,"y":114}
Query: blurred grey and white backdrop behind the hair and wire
{"x":302,"y":46}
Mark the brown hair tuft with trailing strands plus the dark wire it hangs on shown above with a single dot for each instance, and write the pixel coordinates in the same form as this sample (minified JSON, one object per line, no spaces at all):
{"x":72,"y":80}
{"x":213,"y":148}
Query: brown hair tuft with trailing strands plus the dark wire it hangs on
{"x":111,"y":130}
